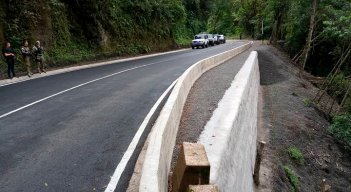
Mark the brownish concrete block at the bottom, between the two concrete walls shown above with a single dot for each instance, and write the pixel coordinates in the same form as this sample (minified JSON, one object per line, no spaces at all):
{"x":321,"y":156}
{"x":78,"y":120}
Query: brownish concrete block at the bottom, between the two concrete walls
{"x":192,"y":168}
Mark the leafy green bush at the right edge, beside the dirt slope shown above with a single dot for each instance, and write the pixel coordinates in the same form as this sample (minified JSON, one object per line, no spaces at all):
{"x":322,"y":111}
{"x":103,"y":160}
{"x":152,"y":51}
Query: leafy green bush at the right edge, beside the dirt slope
{"x":341,"y":129}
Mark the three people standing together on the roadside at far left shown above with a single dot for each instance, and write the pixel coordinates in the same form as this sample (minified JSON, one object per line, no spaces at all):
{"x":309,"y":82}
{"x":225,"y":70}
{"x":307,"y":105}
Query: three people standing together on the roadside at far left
{"x":36,"y":54}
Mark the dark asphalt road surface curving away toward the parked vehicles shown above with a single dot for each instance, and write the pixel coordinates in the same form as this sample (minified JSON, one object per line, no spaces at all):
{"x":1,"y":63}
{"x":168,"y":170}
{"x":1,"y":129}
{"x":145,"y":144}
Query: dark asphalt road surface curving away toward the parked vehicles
{"x":74,"y":141}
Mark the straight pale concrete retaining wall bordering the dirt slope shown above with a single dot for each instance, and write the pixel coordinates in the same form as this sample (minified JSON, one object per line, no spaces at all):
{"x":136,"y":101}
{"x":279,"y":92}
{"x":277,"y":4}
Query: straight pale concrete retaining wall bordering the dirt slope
{"x":230,"y":135}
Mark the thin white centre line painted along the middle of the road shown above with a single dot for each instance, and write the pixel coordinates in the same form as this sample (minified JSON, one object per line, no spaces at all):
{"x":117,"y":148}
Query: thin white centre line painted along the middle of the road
{"x":75,"y":87}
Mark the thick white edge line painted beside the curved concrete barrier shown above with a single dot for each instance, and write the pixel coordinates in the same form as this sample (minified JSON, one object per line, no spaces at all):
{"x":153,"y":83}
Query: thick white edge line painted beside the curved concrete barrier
{"x":131,"y":148}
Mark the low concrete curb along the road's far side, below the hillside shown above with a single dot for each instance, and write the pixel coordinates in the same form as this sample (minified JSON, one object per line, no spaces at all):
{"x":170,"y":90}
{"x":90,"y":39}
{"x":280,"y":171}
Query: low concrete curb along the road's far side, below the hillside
{"x":81,"y":67}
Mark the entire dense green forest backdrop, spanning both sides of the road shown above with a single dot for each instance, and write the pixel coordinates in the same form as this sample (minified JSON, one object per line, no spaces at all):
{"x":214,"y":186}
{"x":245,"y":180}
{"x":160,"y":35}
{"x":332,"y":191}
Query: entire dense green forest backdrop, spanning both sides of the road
{"x":316,"y":34}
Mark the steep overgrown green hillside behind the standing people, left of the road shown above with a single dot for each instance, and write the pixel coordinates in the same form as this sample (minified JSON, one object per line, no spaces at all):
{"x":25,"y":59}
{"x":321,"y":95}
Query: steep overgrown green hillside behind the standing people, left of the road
{"x":73,"y":31}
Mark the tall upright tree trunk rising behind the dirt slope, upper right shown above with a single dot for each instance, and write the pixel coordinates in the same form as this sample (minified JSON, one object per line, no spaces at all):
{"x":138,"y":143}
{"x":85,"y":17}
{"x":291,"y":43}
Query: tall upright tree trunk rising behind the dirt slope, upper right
{"x":310,"y":33}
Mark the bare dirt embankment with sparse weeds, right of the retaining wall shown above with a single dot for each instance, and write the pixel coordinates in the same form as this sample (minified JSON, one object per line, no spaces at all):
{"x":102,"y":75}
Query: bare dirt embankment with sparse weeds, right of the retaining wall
{"x":289,"y":122}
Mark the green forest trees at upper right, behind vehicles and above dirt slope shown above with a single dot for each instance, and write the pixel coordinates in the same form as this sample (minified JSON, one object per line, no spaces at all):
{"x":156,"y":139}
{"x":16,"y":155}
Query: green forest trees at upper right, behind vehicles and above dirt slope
{"x":316,"y":34}
